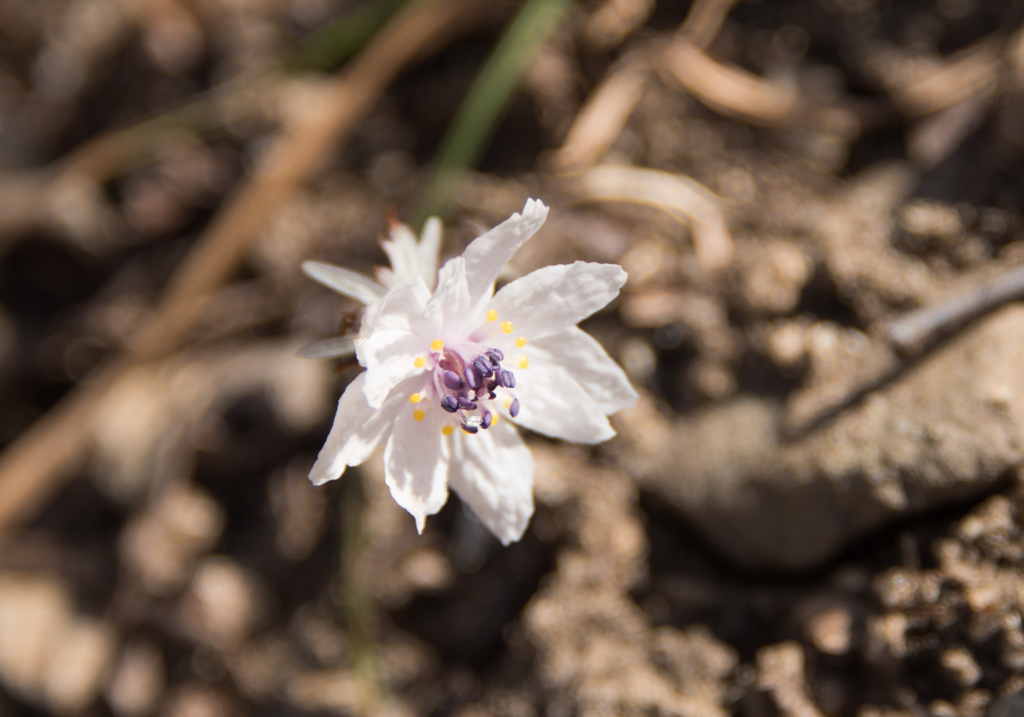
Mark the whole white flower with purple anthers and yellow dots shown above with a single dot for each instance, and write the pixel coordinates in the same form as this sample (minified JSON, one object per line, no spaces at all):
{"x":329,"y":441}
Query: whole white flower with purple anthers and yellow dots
{"x":447,"y":374}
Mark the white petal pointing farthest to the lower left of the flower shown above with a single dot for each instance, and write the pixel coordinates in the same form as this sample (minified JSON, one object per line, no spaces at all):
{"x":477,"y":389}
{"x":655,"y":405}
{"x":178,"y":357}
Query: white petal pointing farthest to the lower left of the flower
{"x":357,"y":433}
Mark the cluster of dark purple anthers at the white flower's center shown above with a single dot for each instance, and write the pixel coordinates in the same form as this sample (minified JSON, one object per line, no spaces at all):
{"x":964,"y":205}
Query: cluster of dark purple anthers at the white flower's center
{"x":466,"y":381}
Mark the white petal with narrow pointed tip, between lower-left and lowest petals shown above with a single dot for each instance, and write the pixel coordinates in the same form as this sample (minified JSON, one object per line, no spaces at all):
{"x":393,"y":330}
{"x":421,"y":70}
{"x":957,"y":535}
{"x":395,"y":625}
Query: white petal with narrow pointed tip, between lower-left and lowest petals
{"x":416,"y":463}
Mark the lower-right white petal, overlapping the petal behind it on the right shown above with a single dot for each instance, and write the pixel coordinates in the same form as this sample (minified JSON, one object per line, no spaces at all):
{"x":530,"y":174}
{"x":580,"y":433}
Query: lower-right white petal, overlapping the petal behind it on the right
{"x":551,"y":403}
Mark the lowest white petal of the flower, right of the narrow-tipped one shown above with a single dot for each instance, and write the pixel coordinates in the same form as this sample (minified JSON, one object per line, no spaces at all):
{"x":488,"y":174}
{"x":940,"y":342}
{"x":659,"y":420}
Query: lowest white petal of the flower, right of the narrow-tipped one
{"x":493,"y":473}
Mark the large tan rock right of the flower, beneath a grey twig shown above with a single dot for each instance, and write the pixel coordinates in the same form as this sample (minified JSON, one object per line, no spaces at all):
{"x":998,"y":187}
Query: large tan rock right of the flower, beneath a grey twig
{"x":948,"y":430}
